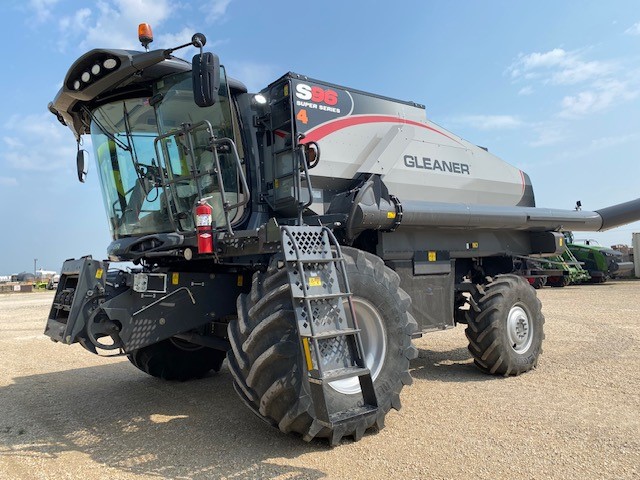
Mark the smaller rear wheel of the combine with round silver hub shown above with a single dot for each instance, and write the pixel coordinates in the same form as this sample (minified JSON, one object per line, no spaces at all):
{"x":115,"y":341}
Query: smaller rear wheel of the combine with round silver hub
{"x":505,"y":336}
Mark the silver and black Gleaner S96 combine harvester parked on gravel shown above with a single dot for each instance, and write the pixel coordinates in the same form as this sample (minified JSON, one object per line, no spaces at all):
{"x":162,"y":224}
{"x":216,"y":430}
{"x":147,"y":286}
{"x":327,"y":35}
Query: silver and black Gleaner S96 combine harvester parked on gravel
{"x":306,"y":233}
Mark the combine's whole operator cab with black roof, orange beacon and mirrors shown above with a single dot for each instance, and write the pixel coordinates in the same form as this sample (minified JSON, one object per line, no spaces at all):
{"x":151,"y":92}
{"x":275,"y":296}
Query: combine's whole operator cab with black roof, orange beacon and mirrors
{"x":164,"y":134}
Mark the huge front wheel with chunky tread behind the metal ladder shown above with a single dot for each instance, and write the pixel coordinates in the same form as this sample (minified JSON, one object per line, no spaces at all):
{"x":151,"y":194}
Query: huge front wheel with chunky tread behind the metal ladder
{"x":267,"y":362}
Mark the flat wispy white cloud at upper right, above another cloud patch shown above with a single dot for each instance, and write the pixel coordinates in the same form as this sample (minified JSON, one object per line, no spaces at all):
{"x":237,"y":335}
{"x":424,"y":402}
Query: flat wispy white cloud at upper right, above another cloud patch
{"x":558,"y":67}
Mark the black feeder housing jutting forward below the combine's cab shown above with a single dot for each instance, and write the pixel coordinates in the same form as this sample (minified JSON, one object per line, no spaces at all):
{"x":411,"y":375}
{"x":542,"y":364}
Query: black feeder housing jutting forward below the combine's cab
{"x":127,"y":310}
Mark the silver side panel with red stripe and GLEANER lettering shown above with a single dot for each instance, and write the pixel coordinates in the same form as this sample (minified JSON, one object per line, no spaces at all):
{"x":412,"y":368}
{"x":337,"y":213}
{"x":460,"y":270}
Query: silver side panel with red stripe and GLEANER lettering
{"x":417,"y":159}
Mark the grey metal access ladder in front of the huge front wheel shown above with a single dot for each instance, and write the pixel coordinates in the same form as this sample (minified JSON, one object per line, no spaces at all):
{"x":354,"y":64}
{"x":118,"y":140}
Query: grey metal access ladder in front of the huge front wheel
{"x":329,"y":334}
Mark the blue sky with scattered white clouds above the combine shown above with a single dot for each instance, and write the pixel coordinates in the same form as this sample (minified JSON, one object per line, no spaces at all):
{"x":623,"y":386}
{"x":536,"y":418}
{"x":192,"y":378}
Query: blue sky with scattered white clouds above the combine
{"x":551,"y":87}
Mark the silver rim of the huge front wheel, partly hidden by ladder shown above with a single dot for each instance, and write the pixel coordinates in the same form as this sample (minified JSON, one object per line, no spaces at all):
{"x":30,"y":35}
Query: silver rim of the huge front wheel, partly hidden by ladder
{"x":374,"y":342}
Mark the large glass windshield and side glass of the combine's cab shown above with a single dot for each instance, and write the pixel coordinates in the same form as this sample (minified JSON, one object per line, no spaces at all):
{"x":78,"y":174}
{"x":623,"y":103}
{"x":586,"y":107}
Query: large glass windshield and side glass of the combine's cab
{"x":151,"y":186}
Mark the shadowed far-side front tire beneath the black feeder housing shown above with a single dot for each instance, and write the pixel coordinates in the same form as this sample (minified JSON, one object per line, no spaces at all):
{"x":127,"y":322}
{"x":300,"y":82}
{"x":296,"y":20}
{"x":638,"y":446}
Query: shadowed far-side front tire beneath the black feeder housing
{"x":175,"y":359}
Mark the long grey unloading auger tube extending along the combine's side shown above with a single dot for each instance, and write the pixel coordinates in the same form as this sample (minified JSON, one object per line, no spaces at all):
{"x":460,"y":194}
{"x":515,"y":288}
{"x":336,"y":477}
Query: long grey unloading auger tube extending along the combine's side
{"x":458,"y":215}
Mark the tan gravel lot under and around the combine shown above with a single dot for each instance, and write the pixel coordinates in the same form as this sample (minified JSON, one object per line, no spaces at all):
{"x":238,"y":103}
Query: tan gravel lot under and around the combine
{"x":65,"y":413}
